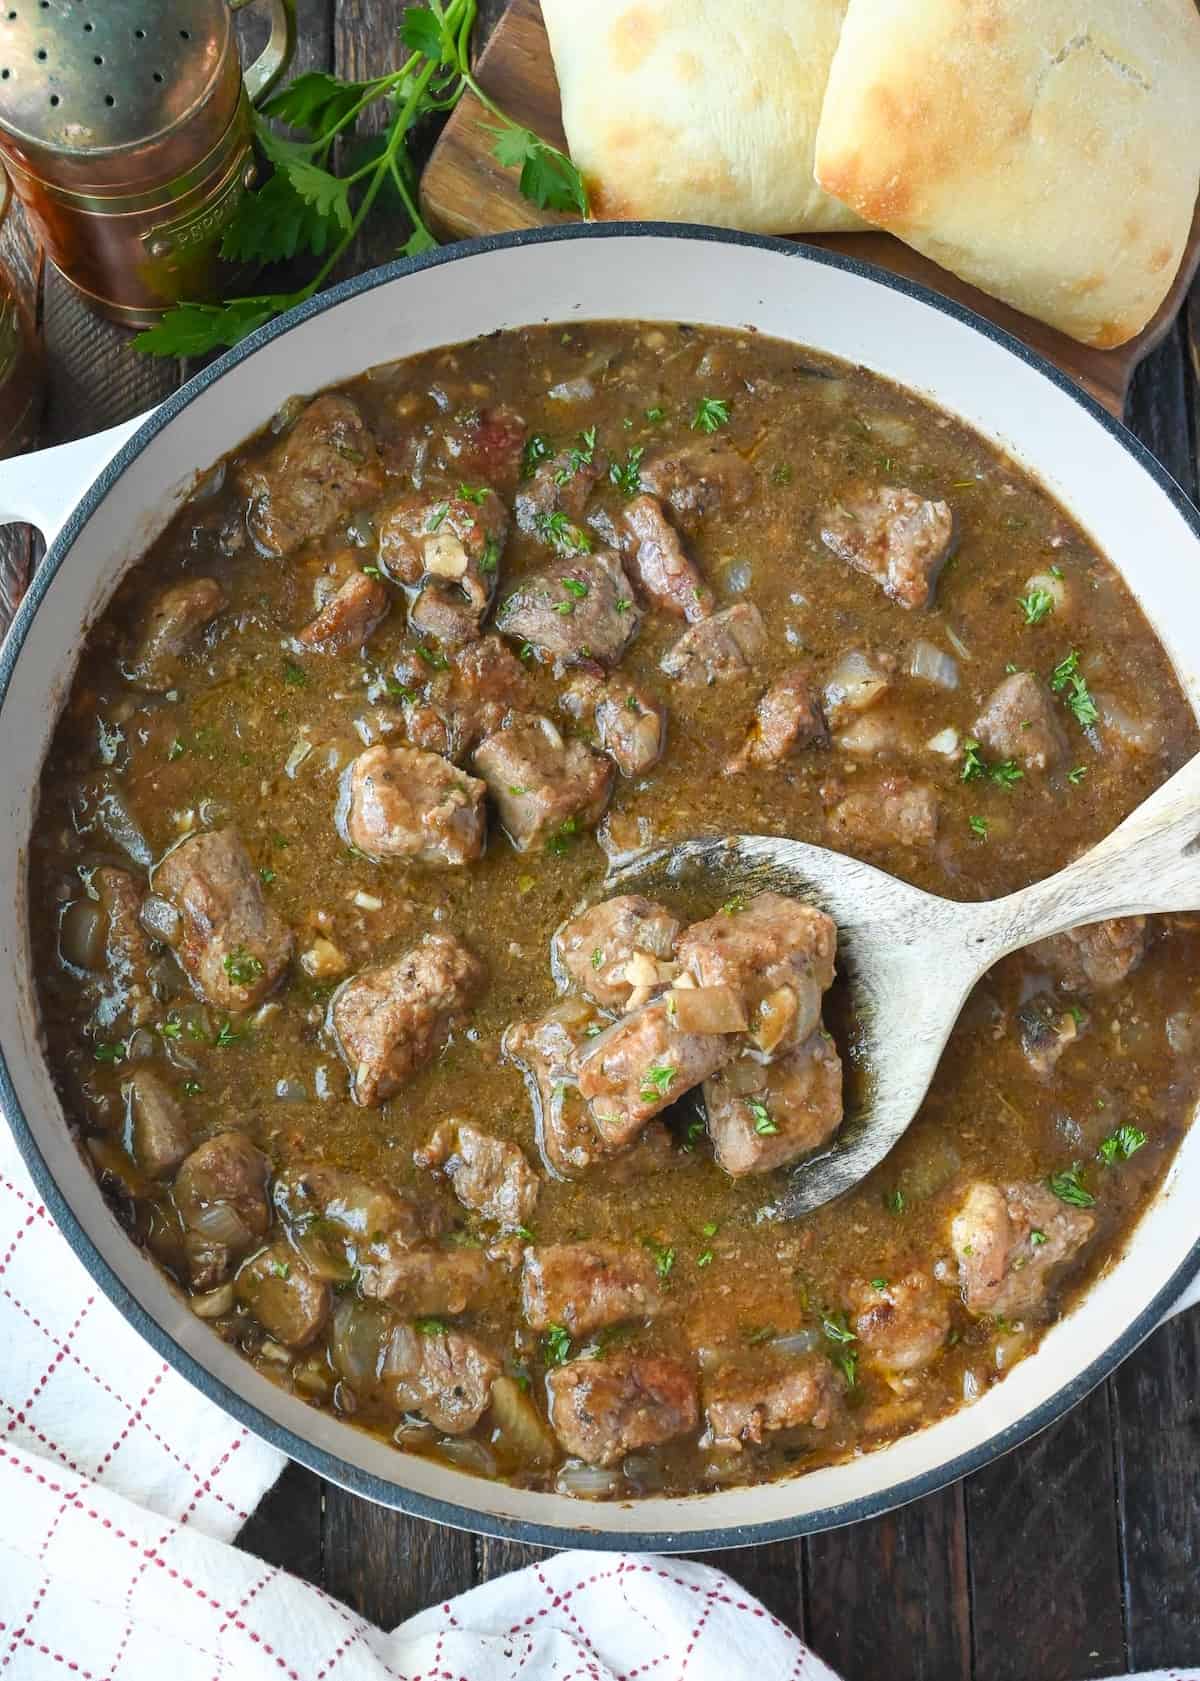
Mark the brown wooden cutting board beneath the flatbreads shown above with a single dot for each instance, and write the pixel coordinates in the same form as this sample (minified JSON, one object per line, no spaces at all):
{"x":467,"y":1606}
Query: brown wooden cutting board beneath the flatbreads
{"x":465,"y":192}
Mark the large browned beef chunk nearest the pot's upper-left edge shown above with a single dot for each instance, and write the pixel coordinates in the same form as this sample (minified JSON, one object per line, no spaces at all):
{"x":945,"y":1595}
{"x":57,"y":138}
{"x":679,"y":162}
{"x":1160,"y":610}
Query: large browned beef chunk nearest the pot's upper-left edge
{"x":315,"y":477}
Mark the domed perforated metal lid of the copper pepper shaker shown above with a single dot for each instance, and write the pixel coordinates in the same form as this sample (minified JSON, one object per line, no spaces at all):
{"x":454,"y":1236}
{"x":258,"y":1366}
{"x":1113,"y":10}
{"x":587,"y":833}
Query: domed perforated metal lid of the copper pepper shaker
{"x":97,"y":76}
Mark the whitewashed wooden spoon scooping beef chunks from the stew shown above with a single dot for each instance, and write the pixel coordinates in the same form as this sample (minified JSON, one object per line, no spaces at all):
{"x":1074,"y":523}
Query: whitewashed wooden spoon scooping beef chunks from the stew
{"x":912,"y":959}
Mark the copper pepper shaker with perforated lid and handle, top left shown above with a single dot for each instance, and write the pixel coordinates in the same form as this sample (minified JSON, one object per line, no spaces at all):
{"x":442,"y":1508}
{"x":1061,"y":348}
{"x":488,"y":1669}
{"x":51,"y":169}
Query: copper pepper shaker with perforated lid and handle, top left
{"x":127,"y":130}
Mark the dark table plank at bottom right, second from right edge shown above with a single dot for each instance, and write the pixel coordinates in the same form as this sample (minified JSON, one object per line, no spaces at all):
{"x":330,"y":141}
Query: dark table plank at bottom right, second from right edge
{"x":1046,"y":1569}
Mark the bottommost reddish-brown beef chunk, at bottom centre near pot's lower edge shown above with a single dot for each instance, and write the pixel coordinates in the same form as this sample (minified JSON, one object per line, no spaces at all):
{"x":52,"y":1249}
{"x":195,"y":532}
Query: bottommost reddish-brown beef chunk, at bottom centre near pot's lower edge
{"x":606,"y":1410}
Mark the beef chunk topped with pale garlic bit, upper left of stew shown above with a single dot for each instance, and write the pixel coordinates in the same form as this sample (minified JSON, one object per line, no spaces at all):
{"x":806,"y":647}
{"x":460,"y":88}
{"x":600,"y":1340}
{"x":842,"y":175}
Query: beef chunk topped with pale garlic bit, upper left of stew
{"x":451,"y":547}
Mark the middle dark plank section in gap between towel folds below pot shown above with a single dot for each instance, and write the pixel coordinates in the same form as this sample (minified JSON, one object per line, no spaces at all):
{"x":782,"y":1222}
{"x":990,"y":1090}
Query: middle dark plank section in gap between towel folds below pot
{"x":387,"y":1566}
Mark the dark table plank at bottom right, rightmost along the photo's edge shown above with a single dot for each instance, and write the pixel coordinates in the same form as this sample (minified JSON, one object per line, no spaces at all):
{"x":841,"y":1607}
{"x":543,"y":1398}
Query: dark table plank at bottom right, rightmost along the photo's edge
{"x":1157,"y":1411}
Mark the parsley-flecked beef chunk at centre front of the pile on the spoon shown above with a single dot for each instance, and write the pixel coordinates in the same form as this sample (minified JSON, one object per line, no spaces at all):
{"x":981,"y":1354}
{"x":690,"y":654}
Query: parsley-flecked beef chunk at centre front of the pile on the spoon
{"x":643,"y":1065}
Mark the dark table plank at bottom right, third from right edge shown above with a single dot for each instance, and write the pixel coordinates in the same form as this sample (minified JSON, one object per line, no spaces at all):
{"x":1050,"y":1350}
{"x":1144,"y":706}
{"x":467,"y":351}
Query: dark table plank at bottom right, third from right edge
{"x":888,"y":1599}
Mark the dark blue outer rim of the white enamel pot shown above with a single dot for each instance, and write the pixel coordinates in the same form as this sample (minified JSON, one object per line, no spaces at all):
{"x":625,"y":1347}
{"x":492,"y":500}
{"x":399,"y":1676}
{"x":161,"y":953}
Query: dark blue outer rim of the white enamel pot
{"x":329,"y":1465}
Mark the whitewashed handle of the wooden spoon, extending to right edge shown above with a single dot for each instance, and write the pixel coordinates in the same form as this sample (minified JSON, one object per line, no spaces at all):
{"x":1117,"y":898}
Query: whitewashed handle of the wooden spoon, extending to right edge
{"x":1152,"y":863}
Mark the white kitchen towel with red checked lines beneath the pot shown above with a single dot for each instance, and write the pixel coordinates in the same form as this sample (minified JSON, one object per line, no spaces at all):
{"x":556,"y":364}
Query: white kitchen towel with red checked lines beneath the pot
{"x":122,"y":1487}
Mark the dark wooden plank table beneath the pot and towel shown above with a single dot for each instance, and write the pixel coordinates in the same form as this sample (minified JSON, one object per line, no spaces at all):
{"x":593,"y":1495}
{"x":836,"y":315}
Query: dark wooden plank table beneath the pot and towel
{"x":1076,"y":1556}
